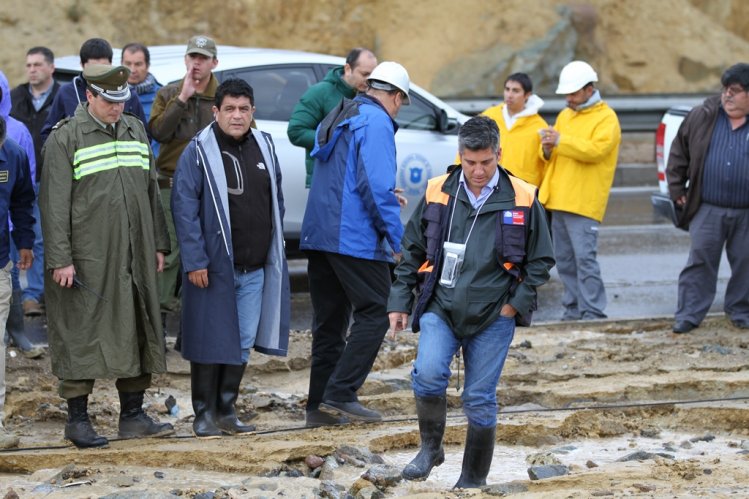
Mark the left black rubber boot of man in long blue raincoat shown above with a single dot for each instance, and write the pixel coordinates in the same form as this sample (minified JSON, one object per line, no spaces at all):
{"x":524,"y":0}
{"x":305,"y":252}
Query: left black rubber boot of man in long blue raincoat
{"x":204,"y":384}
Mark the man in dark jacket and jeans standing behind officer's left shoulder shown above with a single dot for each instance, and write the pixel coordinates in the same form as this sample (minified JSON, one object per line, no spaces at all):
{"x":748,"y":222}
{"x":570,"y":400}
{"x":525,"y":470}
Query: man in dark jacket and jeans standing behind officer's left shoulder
{"x":31,"y":103}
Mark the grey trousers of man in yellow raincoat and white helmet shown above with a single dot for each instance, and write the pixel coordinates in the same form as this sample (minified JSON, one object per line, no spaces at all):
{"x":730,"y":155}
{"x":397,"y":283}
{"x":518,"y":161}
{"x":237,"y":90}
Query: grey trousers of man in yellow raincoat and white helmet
{"x":575,"y":249}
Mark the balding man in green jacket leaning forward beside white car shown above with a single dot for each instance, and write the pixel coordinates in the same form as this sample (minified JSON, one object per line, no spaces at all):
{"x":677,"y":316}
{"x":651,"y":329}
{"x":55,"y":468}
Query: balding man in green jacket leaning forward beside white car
{"x":321,"y":98}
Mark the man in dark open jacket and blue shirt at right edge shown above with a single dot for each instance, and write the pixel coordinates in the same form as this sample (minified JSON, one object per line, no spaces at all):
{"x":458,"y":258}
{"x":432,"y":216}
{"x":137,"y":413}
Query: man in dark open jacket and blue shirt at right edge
{"x":708,"y":180}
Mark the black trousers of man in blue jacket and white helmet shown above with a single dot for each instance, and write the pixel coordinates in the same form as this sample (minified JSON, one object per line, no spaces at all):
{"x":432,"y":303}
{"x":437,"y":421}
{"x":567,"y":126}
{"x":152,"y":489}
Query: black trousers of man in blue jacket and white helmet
{"x":340,"y":285}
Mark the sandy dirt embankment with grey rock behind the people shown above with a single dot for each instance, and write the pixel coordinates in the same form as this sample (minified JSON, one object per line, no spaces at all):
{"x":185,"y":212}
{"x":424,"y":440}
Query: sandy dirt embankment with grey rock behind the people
{"x":637,"y":46}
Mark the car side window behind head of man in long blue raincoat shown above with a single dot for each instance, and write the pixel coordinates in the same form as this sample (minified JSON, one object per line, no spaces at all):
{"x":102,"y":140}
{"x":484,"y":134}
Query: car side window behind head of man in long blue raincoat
{"x":277,"y":89}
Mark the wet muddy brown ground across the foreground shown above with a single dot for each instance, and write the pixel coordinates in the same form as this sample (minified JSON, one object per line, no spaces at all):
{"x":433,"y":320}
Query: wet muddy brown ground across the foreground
{"x":555,"y":392}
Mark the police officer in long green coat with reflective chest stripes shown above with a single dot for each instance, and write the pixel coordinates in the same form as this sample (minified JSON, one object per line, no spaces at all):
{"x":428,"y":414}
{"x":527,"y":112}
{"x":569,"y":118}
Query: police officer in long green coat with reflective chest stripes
{"x":104,"y":240}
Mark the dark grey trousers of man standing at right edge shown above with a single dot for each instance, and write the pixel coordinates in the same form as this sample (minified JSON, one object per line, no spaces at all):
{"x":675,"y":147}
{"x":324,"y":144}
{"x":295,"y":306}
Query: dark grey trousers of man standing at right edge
{"x":711,"y":228}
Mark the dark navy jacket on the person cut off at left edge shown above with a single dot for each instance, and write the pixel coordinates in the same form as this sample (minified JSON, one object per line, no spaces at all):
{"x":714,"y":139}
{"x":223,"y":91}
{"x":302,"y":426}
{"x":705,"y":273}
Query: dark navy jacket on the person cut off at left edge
{"x":16,"y":199}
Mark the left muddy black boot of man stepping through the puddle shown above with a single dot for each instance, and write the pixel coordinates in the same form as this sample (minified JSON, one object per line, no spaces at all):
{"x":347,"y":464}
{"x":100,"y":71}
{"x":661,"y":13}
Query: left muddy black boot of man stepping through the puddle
{"x":432,"y":412}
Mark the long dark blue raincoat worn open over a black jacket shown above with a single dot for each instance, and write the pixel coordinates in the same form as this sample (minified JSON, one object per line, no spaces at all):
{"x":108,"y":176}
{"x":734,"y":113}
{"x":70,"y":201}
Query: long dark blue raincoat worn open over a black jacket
{"x":200,"y":207}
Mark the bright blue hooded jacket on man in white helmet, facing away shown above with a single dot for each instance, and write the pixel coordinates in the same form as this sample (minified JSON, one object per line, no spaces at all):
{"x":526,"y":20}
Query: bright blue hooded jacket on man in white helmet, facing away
{"x":352,"y":208}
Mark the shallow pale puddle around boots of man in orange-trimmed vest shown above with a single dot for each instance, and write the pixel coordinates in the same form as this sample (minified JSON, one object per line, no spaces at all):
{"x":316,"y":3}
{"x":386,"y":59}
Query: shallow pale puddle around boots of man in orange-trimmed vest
{"x":509,"y":461}
